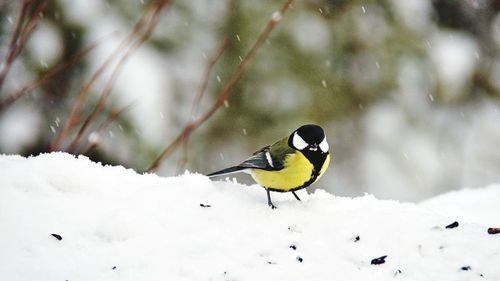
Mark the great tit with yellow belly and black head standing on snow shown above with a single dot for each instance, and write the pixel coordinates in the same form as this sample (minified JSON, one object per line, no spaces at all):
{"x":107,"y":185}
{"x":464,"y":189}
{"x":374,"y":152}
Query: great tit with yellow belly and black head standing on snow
{"x":290,"y":164}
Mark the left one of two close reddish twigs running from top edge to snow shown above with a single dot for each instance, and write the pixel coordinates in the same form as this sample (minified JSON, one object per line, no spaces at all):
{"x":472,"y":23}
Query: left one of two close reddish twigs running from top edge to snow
{"x":73,"y":119}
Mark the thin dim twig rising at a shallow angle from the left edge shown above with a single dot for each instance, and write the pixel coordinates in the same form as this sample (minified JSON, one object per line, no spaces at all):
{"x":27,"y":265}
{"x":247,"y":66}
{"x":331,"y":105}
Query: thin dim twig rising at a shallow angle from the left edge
{"x":53,"y":71}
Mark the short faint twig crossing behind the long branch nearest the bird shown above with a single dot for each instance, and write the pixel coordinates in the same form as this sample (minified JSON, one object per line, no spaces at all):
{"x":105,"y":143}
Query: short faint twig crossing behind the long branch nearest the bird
{"x":199,"y":95}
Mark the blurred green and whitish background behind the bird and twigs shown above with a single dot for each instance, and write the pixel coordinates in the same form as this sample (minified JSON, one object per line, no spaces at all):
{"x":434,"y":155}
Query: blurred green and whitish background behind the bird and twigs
{"x":407,"y":90}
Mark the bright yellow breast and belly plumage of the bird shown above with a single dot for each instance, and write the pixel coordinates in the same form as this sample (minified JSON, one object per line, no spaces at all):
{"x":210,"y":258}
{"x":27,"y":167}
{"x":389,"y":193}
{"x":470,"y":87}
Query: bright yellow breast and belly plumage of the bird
{"x":297,"y":171}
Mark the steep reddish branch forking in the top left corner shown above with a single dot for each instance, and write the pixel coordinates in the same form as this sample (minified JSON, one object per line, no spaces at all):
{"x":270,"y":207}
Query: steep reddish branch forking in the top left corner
{"x":21,"y":33}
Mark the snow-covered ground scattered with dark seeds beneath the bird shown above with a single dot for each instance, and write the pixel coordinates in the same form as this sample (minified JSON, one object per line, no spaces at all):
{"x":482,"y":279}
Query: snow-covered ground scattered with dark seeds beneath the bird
{"x":110,"y":223}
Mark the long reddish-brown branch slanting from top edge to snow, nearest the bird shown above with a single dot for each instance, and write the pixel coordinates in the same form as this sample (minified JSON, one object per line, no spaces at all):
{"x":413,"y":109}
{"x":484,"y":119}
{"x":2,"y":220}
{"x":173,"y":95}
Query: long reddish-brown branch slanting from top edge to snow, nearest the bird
{"x":226,"y":91}
